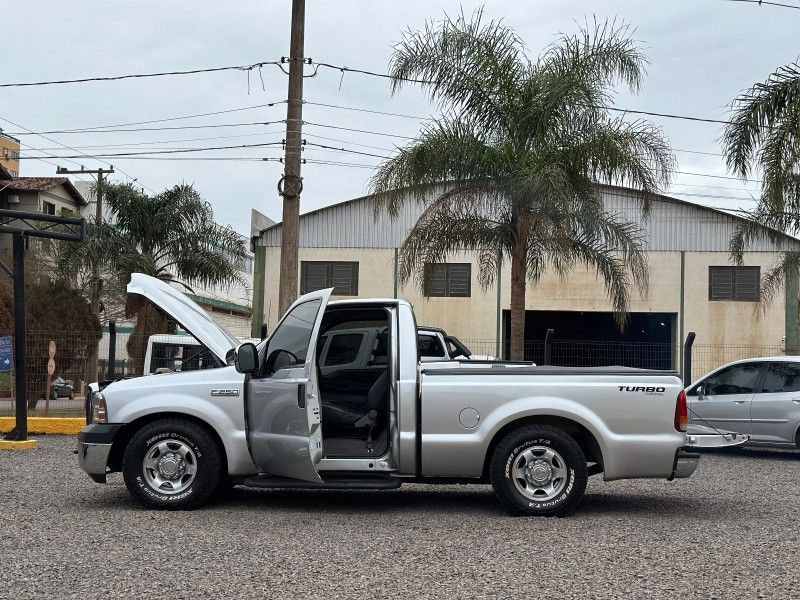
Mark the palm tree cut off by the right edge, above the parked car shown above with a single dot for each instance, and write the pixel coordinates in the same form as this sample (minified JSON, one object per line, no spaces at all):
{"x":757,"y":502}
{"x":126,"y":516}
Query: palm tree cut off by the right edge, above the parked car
{"x":764,"y":137}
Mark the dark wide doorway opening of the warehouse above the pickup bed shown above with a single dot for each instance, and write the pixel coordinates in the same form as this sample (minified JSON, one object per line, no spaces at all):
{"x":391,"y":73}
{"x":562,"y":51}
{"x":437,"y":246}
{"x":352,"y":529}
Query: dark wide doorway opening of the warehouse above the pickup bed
{"x":593,"y":339}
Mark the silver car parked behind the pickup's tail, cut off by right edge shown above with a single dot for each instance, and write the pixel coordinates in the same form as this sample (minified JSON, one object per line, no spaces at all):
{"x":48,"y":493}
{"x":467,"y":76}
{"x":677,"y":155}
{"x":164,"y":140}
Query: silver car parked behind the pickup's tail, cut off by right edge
{"x":758,"y":397}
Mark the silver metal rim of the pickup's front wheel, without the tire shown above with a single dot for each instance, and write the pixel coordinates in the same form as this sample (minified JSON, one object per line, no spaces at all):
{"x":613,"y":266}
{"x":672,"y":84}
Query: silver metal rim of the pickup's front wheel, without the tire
{"x":169,"y":467}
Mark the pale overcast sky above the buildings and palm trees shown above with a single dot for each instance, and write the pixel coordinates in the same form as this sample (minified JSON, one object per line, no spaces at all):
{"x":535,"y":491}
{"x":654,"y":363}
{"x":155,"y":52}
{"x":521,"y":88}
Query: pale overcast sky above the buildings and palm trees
{"x":702,"y":53}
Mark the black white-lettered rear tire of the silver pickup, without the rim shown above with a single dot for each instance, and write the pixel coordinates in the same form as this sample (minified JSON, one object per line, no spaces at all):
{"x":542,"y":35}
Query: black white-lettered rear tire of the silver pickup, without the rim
{"x":508,"y":452}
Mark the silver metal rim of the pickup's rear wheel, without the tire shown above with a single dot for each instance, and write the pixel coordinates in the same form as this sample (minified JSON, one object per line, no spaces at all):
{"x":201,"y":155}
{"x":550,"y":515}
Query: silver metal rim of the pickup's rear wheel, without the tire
{"x":539,"y":473}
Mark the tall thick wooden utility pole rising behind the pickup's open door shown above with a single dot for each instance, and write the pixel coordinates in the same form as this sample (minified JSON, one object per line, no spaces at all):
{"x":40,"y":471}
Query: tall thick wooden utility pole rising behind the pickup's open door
{"x":291,"y":184}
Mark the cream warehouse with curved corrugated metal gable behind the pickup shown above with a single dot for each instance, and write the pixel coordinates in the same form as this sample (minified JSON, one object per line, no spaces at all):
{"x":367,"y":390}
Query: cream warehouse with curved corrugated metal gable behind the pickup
{"x":693,"y":287}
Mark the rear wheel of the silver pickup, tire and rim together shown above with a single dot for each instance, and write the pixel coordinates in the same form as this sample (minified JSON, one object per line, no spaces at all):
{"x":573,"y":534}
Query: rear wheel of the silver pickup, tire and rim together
{"x":539,"y":470}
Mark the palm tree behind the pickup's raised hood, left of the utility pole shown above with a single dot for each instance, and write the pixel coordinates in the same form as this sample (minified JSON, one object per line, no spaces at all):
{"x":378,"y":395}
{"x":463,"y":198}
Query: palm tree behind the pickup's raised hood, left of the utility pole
{"x":171,"y":235}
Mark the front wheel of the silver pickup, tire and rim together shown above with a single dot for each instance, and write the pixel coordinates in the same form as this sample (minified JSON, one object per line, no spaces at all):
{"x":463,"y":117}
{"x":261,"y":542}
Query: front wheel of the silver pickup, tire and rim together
{"x":172,"y":464}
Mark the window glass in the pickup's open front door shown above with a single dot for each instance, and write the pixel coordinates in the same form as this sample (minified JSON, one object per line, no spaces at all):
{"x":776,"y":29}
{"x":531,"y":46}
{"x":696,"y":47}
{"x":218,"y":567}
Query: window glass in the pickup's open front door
{"x":288,"y":346}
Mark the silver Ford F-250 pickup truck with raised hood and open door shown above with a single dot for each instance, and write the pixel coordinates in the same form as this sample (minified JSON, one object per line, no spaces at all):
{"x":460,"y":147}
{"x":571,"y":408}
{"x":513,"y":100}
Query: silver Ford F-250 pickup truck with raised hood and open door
{"x":270,"y":417}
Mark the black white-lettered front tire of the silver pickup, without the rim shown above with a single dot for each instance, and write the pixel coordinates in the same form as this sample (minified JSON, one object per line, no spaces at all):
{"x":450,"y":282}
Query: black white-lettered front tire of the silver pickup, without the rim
{"x":206,"y":456}
